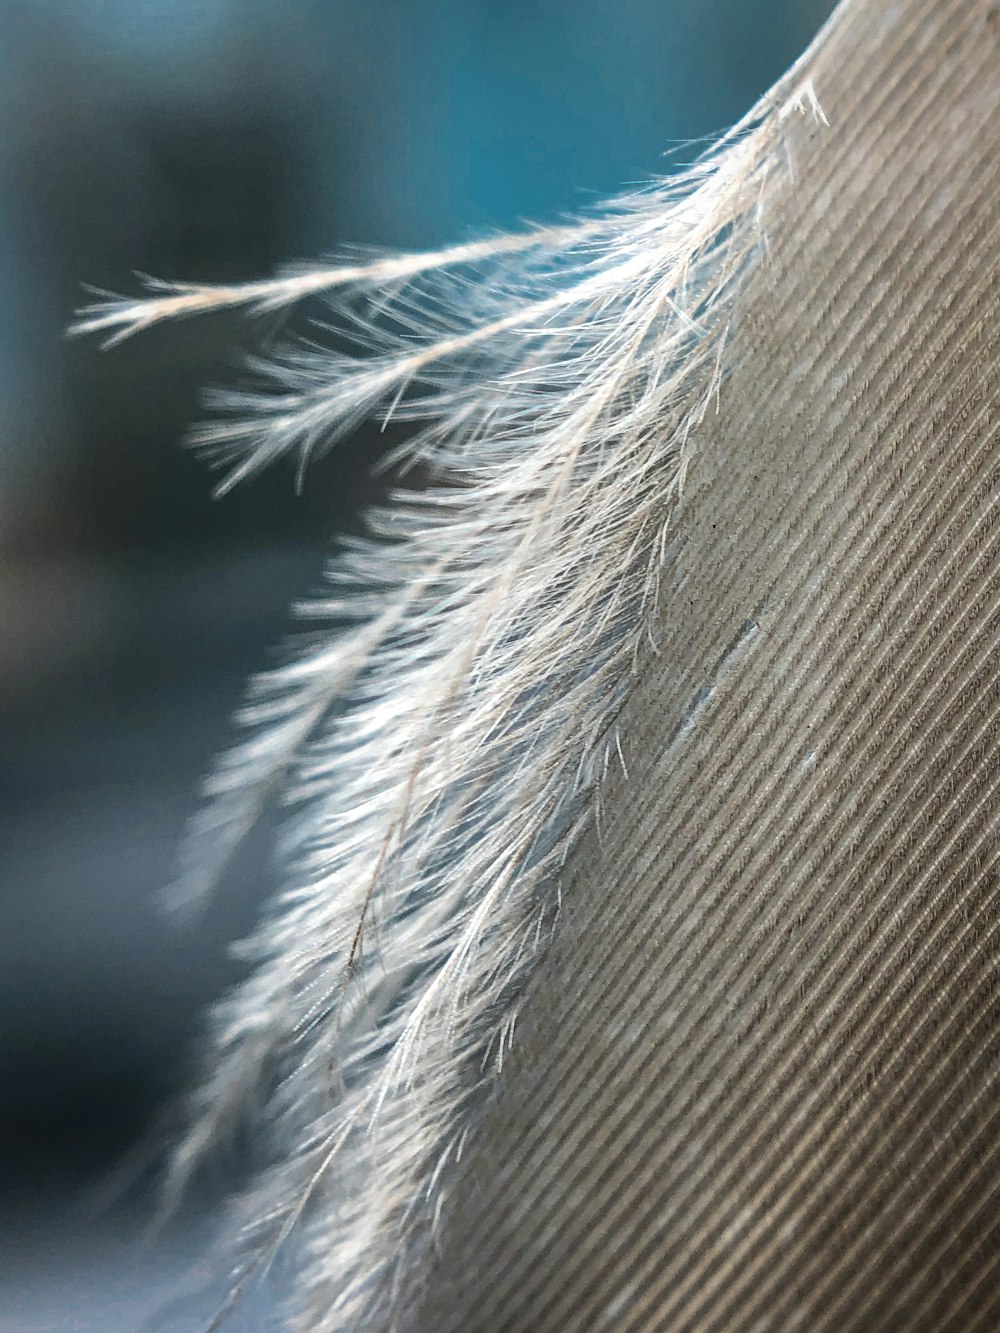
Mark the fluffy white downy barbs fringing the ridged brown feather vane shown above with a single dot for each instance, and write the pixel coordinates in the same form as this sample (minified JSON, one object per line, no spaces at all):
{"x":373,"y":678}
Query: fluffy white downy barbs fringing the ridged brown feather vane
{"x":449,"y":748}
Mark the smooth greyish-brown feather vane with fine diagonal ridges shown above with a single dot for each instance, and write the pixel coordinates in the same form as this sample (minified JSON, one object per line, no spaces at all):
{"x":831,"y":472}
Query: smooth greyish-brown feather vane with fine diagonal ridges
{"x":757,"y":1078}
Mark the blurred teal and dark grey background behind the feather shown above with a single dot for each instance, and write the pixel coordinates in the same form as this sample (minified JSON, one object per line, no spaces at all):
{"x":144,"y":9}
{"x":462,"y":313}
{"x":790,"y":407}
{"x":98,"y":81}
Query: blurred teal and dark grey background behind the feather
{"x":215,"y":141}
